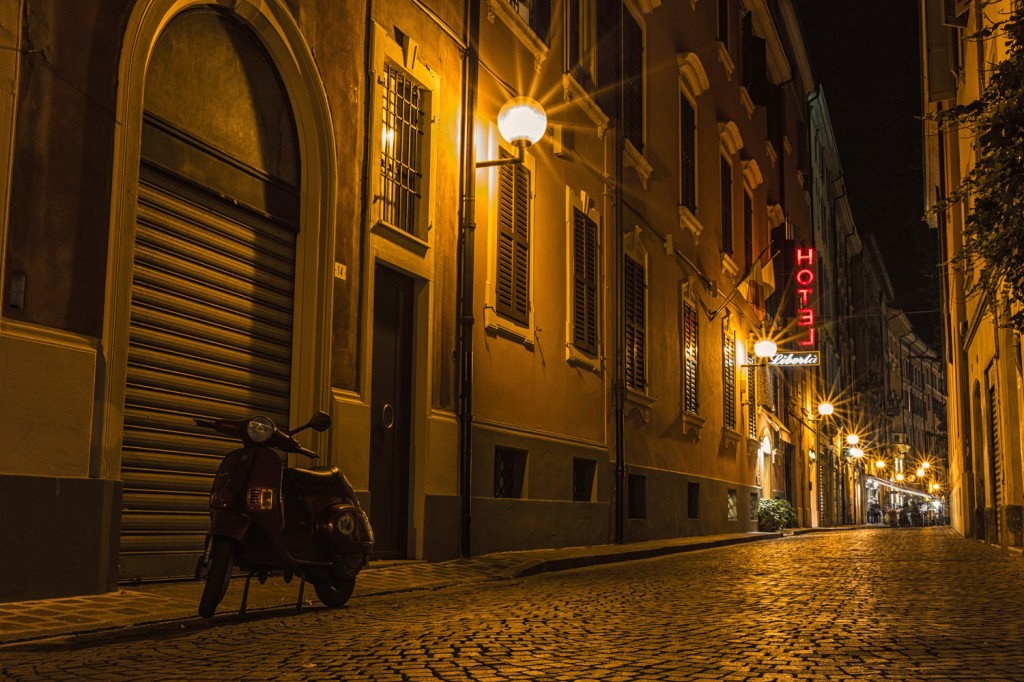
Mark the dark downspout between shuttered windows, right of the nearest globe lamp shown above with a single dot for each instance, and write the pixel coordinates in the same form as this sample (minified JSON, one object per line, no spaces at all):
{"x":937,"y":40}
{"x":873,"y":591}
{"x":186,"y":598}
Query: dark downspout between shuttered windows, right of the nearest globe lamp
{"x":619,"y":351}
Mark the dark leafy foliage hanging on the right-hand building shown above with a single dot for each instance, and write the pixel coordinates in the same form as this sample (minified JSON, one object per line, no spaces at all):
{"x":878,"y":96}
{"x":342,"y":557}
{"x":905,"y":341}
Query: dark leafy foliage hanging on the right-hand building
{"x":993,"y":192}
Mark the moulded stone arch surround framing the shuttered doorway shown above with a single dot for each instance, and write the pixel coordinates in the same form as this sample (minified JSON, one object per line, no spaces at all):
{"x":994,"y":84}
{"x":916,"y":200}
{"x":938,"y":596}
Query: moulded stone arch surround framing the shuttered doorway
{"x":272,"y":23}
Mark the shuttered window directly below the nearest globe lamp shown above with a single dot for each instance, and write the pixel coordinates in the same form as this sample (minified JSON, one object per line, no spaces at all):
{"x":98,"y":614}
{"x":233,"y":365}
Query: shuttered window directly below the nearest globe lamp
{"x":513,"y":301}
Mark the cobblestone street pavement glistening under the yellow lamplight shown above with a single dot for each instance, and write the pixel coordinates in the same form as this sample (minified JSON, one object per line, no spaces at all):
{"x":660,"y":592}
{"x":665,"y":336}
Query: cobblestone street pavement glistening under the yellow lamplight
{"x":872,"y":605}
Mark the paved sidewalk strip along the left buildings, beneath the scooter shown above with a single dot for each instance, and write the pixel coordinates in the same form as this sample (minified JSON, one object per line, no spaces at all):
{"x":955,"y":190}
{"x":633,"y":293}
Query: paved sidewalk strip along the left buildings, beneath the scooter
{"x":175,"y":605}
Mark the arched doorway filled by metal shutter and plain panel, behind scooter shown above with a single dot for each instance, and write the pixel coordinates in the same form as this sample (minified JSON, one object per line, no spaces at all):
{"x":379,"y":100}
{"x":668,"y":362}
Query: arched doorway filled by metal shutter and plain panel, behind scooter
{"x":210,"y":328}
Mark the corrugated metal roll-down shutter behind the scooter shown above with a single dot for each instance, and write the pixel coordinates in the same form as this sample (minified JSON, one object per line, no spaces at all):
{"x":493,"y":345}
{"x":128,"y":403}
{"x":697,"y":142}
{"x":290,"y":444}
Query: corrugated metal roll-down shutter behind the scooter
{"x":211,"y":335}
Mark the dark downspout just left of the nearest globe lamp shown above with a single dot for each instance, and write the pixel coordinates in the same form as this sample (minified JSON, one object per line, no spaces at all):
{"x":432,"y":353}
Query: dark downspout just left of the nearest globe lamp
{"x":465,"y":272}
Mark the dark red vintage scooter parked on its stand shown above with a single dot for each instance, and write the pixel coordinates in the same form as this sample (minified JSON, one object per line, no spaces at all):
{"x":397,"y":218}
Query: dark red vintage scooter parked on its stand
{"x":267,"y":517}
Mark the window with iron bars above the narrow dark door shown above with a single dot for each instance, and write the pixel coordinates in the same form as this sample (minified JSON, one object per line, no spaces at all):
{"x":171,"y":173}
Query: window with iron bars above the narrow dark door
{"x":402,"y":139}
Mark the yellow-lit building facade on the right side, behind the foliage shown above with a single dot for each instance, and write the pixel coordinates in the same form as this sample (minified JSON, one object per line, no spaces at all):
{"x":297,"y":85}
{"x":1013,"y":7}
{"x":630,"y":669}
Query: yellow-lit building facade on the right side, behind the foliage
{"x":983,"y":357}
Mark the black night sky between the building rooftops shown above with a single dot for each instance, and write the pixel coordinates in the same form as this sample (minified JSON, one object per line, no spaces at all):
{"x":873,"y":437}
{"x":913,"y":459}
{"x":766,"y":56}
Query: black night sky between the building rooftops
{"x":865,"y":54}
